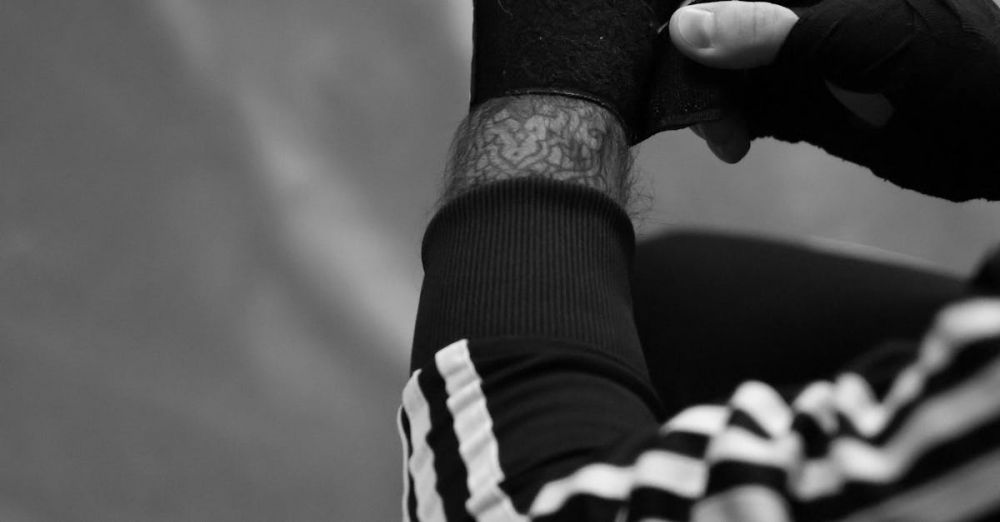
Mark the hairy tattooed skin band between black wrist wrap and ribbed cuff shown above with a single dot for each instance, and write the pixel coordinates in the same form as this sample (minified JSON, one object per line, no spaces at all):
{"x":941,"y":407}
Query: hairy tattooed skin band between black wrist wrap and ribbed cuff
{"x":548,"y":137}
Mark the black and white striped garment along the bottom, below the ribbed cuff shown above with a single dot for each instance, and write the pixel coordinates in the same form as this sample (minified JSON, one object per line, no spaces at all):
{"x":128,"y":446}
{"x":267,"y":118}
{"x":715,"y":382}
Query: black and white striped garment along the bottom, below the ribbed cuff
{"x":516,"y":429}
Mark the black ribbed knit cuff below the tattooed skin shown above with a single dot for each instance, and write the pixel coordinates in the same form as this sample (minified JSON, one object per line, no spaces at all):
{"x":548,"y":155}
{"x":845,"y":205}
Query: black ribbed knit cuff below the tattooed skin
{"x":529,"y":258}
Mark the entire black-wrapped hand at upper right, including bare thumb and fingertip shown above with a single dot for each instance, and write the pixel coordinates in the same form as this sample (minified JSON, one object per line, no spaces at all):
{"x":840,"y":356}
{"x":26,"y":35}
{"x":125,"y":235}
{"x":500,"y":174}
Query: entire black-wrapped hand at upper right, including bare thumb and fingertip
{"x":906,"y":88}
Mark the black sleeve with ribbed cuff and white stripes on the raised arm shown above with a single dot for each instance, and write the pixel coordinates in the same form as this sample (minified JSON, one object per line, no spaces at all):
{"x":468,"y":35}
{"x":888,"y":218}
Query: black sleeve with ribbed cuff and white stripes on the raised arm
{"x":527,"y":288}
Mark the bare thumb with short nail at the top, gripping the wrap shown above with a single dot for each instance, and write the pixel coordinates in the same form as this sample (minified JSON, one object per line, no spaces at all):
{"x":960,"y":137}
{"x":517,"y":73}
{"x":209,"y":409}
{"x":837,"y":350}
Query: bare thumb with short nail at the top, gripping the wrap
{"x":731,"y":35}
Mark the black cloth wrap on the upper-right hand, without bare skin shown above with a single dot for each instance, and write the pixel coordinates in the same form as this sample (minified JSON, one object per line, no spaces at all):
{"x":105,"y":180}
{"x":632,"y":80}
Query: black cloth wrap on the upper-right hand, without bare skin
{"x":938,"y":63}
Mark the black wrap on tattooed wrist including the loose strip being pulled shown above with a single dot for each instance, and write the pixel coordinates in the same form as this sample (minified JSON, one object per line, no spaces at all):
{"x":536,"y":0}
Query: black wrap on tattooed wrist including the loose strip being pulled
{"x":604,"y":51}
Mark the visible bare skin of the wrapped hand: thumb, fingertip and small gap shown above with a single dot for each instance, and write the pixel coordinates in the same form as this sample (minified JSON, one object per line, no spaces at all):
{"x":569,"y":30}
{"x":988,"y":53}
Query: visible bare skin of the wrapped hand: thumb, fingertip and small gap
{"x":744,"y":35}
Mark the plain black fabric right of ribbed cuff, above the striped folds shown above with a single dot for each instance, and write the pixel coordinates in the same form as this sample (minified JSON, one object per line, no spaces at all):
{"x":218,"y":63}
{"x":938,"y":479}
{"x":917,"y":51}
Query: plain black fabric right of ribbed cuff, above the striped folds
{"x":714,"y":310}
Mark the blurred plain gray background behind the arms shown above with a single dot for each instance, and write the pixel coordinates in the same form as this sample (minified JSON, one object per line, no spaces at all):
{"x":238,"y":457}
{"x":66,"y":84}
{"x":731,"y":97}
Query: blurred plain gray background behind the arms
{"x":210,"y":216}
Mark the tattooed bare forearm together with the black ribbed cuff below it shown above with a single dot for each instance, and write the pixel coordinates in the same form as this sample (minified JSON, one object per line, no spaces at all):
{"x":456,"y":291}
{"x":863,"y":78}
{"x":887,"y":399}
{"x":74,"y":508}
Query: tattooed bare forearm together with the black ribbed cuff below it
{"x":532,"y":239}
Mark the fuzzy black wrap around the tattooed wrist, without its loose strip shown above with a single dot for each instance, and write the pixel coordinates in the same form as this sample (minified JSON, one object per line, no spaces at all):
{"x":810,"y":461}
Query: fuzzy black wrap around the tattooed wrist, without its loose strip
{"x":599,"y":50}
